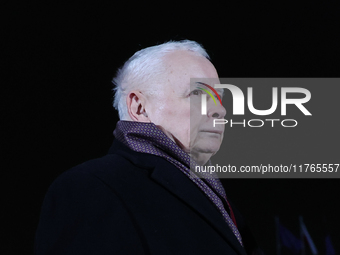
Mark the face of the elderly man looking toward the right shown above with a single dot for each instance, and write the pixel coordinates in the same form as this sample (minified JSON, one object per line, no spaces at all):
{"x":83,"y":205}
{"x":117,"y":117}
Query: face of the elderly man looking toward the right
{"x":175,"y":106}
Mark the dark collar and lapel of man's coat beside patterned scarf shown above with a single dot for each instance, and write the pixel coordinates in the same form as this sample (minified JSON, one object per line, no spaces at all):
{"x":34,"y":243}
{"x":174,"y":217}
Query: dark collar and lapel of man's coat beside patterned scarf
{"x":172,"y":179}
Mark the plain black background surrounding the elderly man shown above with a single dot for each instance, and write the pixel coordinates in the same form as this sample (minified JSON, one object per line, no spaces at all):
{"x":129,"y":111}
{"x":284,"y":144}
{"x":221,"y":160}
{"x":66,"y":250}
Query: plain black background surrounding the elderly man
{"x":58,"y":62}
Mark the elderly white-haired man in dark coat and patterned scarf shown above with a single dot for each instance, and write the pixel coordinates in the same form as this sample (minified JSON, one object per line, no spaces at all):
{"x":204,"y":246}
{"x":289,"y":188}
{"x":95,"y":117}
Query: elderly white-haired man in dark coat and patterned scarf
{"x":141,"y":198}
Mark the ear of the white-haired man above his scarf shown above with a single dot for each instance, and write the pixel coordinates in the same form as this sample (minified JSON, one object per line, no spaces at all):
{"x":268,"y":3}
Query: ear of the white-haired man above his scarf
{"x":135,"y":102}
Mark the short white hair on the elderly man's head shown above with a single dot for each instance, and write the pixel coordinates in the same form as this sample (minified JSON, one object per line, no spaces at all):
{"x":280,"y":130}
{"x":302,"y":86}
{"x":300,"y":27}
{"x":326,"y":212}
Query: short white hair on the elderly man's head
{"x":143,"y":67}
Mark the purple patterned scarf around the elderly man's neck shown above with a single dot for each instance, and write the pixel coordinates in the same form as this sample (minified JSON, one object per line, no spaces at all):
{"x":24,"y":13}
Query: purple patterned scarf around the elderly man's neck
{"x":148,"y":138}
